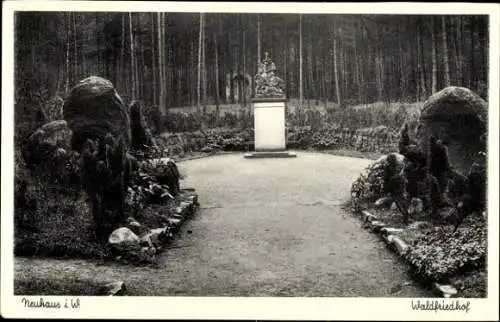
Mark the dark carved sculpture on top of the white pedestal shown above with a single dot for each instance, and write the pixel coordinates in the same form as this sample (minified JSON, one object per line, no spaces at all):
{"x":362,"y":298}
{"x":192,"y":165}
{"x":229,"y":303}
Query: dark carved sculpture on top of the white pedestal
{"x":267,"y":84}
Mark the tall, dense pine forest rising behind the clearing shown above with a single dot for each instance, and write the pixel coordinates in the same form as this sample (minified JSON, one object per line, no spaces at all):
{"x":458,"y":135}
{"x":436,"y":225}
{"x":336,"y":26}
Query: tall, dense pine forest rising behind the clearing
{"x":168,"y":59}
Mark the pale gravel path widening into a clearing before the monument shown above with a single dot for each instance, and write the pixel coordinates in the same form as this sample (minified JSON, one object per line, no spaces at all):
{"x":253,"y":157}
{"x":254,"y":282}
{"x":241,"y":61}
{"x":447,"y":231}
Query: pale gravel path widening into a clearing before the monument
{"x":266,"y":227}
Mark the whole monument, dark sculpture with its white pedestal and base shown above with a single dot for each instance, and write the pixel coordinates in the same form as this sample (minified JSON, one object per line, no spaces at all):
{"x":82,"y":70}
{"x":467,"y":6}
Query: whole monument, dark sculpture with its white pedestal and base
{"x":269,"y":113}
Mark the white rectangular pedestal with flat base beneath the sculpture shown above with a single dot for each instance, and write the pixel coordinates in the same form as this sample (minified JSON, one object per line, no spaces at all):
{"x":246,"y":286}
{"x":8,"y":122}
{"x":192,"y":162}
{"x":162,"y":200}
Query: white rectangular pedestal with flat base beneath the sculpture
{"x":269,"y":128}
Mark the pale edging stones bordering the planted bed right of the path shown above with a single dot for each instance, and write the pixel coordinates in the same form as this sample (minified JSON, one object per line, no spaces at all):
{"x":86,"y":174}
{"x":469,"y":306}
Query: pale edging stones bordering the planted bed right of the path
{"x":390,"y":236}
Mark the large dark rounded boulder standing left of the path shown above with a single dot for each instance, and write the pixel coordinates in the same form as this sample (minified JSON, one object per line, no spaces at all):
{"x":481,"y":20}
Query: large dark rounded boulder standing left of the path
{"x":93,"y":109}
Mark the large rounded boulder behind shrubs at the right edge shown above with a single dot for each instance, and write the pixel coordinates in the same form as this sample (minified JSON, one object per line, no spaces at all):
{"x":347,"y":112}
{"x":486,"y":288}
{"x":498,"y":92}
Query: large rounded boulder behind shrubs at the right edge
{"x":458,"y":117}
